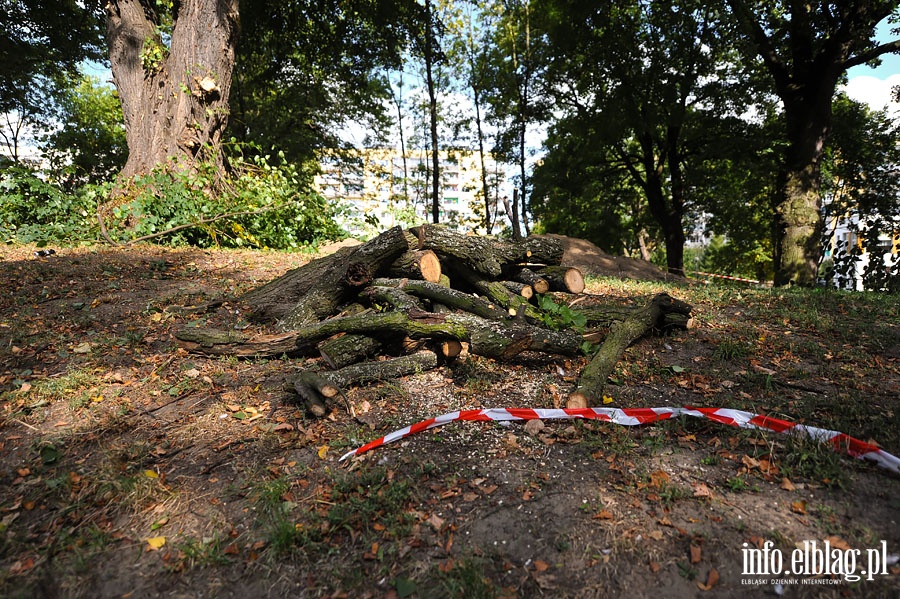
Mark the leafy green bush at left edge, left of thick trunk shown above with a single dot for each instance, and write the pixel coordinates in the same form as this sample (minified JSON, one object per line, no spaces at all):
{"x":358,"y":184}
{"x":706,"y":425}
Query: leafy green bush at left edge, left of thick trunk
{"x":35,"y":211}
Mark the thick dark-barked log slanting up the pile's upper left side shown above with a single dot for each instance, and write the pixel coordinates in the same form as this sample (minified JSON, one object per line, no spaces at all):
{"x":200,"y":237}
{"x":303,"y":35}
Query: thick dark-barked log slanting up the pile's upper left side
{"x":315,"y":291}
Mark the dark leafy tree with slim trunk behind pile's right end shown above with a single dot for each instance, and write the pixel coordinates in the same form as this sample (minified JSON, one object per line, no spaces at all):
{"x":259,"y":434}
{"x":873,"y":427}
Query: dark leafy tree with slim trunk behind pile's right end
{"x":638,"y":79}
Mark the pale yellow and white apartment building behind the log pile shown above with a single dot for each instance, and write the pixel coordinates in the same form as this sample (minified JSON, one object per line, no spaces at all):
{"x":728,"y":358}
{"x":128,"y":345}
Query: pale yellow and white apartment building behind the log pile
{"x":379,"y":191}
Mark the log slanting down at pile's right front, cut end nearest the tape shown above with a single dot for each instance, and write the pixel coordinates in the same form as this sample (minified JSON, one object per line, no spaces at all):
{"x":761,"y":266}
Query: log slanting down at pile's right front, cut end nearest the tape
{"x":589,"y":390}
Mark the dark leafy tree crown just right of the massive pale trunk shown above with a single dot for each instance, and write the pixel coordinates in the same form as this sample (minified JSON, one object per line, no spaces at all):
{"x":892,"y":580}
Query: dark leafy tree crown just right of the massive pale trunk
{"x":305,"y":70}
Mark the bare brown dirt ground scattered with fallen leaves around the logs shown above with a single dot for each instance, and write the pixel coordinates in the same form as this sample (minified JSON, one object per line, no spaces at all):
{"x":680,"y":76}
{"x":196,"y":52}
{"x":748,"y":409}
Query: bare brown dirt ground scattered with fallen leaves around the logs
{"x":133,"y":469}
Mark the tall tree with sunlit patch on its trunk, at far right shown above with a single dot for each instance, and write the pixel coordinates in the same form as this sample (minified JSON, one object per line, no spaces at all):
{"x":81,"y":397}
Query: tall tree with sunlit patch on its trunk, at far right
{"x":806,"y":48}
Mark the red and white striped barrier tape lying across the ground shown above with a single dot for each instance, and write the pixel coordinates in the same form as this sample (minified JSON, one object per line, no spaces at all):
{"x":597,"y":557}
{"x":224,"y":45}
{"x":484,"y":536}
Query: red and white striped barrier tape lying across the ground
{"x":635,"y":416}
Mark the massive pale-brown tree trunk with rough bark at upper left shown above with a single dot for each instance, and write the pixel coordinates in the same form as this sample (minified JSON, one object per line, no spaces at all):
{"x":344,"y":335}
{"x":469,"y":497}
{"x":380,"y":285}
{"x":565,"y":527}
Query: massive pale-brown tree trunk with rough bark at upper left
{"x":175,"y":101}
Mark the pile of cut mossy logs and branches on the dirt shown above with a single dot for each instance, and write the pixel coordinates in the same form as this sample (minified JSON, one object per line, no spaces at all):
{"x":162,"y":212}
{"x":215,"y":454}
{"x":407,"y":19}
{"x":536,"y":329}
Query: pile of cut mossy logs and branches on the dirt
{"x":409,"y":300}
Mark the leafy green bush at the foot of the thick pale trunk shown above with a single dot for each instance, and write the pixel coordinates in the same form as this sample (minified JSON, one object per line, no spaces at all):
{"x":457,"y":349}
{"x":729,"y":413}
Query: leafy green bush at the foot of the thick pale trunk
{"x":260,"y":205}
